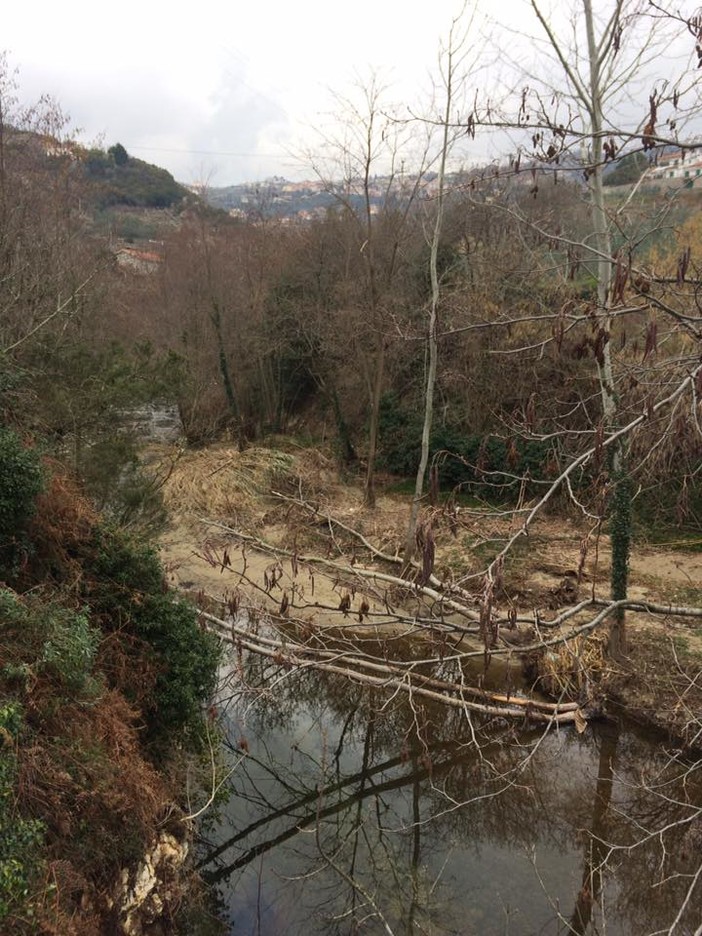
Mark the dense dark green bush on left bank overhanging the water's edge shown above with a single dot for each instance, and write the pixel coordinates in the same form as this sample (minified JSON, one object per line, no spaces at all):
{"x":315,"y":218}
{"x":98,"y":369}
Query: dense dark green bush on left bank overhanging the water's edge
{"x":129,"y":592}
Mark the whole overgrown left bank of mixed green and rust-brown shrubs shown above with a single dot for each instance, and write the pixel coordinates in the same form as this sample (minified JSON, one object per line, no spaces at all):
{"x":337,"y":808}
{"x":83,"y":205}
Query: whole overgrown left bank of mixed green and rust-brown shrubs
{"x":100,"y":666}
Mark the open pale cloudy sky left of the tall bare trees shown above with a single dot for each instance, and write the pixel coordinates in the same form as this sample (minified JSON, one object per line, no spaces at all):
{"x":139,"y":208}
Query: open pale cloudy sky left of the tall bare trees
{"x":217,"y":92}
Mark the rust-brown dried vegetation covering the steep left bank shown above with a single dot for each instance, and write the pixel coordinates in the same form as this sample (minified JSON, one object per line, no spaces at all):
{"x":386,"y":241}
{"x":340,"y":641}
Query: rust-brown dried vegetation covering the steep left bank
{"x":82,"y":768}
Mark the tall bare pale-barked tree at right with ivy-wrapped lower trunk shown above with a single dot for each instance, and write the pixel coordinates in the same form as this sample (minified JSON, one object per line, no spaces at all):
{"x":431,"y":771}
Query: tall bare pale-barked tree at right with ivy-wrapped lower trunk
{"x":581,"y":117}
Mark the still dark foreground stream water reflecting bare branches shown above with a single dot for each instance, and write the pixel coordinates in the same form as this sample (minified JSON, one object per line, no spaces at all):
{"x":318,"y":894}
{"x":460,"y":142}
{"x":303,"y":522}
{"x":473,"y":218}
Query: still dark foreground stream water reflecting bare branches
{"x":349,"y":810}
